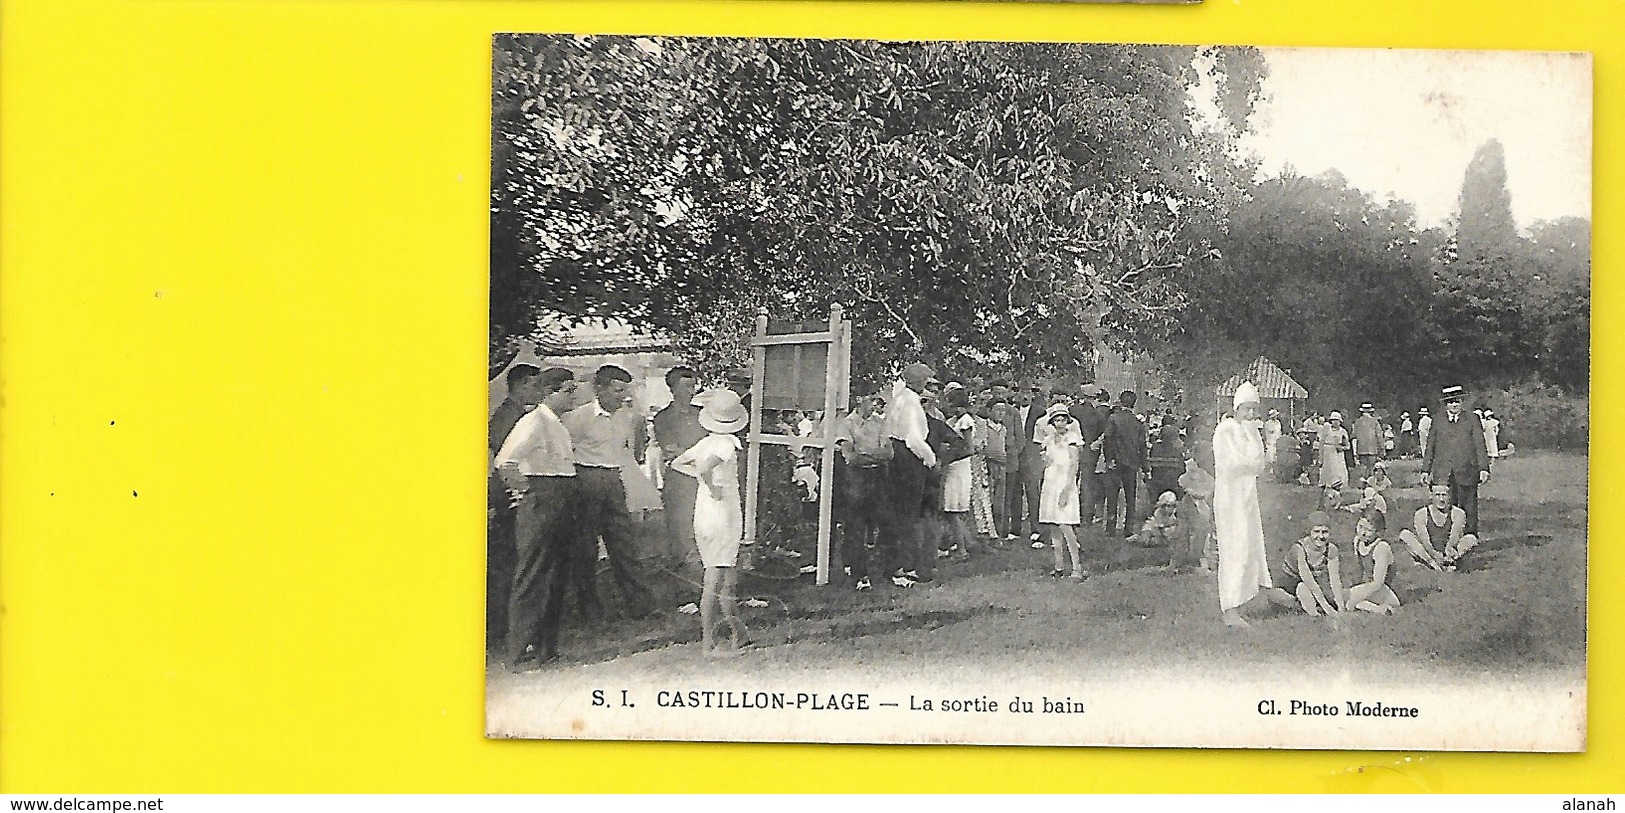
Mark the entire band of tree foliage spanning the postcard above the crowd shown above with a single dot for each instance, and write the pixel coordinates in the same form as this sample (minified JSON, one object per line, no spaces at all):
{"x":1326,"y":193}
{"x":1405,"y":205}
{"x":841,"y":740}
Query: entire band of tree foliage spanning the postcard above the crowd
{"x":995,"y":209}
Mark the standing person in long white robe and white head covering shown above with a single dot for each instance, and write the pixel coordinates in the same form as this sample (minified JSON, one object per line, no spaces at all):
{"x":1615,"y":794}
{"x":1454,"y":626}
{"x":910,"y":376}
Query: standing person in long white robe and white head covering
{"x":1239,"y":459}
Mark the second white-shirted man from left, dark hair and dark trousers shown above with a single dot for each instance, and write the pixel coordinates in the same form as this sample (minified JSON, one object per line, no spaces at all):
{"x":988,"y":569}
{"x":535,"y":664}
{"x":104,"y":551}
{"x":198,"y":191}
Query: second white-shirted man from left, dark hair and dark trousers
{"x":605,"y":435}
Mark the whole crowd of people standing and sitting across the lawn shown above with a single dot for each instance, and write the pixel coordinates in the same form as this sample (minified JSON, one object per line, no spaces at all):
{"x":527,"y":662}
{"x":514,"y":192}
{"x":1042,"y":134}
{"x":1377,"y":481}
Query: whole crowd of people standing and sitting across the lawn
{"x":935,"y":472}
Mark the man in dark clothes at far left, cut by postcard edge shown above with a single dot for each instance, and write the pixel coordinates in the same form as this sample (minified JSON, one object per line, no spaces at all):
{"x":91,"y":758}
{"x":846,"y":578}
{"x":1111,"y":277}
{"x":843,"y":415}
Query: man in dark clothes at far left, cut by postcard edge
{"x":500,"y":523}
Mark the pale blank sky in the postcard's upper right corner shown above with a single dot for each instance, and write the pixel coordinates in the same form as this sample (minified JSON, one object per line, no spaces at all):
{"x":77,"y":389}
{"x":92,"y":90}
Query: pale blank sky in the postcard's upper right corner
{"x":1406,"y":123}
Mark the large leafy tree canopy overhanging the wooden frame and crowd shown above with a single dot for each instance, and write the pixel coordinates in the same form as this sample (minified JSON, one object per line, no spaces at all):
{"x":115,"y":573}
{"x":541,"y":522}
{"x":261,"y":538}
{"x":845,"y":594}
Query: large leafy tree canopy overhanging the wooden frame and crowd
{"x":969,"y":202}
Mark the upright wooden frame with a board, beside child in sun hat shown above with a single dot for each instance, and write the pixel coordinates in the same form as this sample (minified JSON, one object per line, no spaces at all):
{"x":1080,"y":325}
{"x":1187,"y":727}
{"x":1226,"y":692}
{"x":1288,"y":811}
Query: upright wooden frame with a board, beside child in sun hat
{"x":836,"y":391}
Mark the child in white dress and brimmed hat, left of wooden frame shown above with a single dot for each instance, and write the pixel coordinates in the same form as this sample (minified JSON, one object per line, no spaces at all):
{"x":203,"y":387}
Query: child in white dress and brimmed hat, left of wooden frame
{"x":719,"y":523}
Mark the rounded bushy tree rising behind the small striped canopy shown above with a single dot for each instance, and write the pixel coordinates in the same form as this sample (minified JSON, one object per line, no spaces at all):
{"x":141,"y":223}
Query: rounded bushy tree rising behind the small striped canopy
{"x":1325,"y":282}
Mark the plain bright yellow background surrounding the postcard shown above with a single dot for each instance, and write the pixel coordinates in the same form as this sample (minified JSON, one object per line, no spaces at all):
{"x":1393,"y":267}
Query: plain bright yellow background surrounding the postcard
{"x":243,"y":350}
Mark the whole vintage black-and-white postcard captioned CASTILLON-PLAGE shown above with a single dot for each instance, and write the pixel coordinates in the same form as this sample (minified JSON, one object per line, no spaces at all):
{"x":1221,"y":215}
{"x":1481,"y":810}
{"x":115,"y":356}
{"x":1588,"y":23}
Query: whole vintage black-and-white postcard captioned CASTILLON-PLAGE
{"x":1038,"y":394}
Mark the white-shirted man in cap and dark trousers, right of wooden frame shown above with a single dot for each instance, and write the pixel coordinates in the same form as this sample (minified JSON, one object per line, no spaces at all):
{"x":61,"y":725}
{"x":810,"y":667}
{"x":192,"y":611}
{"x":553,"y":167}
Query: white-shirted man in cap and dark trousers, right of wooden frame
{"x":912,"y":456}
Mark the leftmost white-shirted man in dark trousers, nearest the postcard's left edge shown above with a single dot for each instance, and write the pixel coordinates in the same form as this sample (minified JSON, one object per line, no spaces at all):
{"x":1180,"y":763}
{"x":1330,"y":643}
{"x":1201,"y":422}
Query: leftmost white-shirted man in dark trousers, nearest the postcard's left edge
{"x":539,"y":461}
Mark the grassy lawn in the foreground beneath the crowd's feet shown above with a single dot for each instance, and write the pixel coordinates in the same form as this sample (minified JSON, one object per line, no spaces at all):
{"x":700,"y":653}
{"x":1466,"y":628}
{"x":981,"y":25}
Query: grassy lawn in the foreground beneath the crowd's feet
{"x":1517,"y":607}
